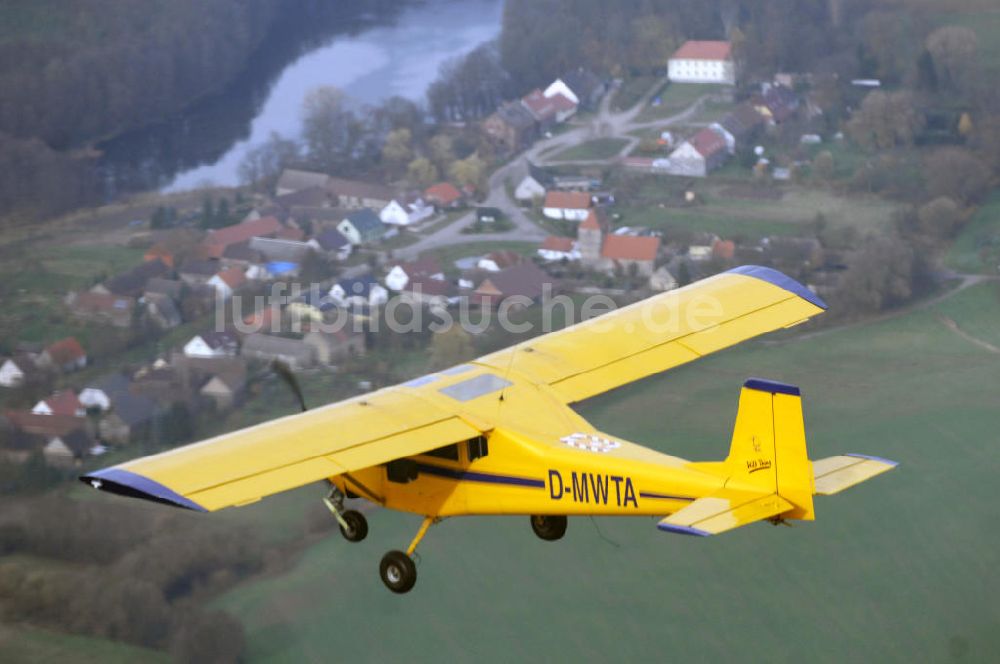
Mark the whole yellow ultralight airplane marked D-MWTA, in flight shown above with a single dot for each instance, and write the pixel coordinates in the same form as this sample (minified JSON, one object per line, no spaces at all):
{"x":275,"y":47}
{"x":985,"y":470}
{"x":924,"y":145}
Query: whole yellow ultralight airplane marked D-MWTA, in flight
{"x":497,"y":435}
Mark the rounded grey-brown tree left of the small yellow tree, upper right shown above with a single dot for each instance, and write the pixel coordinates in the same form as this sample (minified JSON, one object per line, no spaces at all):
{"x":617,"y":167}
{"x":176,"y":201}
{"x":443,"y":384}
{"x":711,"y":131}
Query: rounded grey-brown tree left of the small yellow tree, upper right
{"x":885,"y":120}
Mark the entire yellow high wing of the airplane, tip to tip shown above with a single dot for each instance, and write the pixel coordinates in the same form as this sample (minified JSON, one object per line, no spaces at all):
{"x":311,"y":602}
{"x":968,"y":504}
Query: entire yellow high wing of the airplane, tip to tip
{"x":537,"y":379}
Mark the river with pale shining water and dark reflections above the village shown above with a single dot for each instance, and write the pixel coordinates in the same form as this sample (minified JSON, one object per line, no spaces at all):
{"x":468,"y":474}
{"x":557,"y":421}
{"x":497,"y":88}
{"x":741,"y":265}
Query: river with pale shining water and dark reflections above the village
{"x":370,"y":56}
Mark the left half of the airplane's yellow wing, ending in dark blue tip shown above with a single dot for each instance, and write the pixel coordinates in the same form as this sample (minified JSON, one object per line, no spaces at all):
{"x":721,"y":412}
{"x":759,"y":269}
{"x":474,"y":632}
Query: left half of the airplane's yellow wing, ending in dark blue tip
{"x":243,"y":466}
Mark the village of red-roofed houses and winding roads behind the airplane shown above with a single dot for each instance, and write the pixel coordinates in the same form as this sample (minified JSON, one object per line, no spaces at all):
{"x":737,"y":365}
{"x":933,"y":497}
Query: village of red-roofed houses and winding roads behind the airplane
{"x":557,"y":213}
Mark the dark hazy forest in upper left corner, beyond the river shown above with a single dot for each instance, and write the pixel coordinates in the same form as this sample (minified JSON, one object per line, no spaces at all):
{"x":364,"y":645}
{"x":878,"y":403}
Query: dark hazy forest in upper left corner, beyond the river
{"x":73,"y":74}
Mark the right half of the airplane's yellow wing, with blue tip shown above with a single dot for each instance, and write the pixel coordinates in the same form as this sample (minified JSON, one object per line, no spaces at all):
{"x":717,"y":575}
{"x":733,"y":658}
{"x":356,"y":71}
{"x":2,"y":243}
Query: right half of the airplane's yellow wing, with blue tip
{"x":661,"y":332}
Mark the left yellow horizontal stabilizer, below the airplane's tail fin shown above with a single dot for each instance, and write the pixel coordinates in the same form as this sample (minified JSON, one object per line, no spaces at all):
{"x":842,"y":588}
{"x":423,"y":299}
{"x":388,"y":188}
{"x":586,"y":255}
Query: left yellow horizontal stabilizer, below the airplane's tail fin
{"x":715,"y":514}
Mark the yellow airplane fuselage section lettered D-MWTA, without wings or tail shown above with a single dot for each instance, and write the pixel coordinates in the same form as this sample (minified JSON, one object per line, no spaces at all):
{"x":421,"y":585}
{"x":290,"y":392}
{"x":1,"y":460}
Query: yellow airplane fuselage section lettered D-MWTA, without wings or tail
{"x":518,"y":475}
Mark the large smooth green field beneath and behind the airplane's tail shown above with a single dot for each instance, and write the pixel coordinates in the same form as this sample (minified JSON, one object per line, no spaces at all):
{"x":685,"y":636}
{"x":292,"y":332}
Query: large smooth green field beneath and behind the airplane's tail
{"x":899,"y":569}
